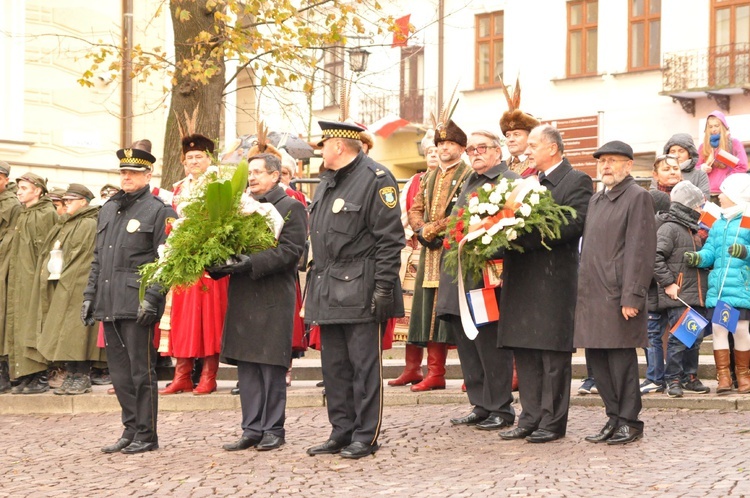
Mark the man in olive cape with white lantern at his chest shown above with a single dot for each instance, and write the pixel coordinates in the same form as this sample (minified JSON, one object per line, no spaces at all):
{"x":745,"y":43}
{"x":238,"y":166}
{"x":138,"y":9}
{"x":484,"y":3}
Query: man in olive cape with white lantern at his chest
{"x":62,"y":275}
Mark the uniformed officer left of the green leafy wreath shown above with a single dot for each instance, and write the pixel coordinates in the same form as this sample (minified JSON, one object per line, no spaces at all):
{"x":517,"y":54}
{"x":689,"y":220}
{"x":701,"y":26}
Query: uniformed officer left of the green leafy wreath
{"x":130,"y":230}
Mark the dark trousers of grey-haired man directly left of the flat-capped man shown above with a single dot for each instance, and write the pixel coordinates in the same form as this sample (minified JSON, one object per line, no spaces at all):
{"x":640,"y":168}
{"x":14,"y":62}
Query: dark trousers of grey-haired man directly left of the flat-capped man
{"x":544,"y":388}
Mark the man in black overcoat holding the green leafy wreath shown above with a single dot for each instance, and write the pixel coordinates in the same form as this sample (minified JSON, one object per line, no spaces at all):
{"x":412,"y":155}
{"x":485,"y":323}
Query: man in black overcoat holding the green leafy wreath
{"x":258,"y":327}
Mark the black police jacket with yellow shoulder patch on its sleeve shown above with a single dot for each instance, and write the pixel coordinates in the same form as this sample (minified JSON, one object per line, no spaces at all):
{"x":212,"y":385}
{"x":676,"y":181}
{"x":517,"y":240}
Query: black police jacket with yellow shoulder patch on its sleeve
{"x":357,"y":237}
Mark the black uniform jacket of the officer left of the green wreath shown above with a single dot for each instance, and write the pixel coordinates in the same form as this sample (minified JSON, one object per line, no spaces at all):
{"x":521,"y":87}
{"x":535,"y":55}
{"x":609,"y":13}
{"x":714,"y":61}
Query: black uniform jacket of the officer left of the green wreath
{"x":129,"y":232}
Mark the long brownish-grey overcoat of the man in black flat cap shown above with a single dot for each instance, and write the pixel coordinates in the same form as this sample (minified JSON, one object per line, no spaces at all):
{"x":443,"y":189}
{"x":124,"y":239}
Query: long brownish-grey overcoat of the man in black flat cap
{"x":617,"y":265}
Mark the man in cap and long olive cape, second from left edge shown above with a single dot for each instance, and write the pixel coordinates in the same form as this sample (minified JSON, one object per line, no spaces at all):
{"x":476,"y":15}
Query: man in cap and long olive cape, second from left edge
{"x":35,"y":221}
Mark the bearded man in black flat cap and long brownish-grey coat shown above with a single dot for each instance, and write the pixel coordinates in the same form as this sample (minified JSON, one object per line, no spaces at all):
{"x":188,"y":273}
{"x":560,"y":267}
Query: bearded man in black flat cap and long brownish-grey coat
{"x":617,"y":261}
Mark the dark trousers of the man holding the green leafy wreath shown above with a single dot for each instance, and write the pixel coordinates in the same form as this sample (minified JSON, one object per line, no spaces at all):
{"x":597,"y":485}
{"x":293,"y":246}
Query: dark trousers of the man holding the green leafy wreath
{"x":263,"y":398}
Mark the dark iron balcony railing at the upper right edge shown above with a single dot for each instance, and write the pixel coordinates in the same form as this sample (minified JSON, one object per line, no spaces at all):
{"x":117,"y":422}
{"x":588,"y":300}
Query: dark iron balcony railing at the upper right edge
{"x":706,"y":70}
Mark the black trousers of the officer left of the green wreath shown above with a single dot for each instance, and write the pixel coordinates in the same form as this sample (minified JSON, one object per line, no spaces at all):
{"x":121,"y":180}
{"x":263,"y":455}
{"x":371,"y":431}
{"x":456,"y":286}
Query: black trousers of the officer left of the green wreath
{"x":132,"y":366}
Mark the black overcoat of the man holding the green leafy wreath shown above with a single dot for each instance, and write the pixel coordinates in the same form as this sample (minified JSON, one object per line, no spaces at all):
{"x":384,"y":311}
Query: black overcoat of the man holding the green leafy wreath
{"x":260,"y":314}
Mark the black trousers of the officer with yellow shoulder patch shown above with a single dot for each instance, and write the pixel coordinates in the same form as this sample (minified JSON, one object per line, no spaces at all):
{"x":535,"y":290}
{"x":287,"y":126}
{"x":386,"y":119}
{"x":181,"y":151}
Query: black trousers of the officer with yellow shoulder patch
{"x":353,"y":375}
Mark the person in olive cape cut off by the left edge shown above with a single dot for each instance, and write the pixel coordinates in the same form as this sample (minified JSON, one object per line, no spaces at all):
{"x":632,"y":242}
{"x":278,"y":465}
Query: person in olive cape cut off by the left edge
{"x":9,"y":209}
